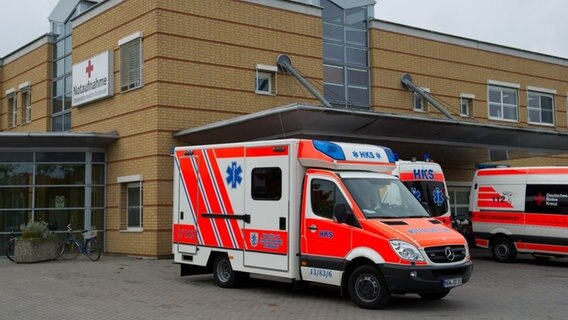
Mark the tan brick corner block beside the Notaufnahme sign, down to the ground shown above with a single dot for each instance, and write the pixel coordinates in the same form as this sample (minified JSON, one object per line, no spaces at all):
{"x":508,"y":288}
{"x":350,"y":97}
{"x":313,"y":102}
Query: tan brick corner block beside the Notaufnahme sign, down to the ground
{"x":199,"y":67}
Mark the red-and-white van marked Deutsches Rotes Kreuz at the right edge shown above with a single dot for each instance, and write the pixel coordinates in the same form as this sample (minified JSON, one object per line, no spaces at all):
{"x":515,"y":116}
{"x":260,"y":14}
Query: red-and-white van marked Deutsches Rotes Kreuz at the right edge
{"x":521,"y":210}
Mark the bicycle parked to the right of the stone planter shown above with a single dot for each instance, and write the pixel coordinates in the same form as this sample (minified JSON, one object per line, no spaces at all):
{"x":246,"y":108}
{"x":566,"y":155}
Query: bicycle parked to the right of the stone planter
{"x":71,"y":247}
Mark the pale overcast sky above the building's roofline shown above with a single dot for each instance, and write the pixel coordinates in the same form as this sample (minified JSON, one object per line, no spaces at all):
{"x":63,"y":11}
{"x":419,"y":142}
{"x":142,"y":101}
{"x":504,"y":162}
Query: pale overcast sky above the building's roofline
{"x":533,"y":25}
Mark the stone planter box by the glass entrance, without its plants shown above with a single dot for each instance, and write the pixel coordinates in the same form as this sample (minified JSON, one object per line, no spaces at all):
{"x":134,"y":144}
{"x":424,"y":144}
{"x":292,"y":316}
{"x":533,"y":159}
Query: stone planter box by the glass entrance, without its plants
{"x":36,"y":250}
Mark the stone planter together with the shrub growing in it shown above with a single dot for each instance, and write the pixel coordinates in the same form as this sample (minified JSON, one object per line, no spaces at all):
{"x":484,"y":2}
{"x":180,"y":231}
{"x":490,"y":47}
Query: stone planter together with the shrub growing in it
{"x":36,"y":244}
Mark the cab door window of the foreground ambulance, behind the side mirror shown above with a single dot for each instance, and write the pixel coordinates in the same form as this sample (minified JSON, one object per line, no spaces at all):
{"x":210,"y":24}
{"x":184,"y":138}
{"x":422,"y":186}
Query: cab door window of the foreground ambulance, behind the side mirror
{"x":324,"y":195}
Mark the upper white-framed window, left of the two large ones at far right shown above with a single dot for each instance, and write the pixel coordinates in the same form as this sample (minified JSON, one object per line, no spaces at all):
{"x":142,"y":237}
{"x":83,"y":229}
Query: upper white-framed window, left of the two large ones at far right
{"x":503,"y":103}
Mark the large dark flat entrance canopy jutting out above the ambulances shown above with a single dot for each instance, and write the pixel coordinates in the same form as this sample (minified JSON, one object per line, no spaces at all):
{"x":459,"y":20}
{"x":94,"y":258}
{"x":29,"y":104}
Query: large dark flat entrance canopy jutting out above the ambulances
{"x":447,"y":141}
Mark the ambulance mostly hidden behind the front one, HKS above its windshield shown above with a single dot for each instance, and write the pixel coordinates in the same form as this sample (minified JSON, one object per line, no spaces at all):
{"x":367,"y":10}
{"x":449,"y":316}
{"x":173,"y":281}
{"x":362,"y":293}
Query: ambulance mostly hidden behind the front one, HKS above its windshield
{"x":426,"y":182}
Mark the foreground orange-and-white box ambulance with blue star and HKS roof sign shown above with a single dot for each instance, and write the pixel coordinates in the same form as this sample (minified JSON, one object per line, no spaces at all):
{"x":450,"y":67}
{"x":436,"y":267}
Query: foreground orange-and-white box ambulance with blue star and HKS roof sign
{"x":309,"y":211}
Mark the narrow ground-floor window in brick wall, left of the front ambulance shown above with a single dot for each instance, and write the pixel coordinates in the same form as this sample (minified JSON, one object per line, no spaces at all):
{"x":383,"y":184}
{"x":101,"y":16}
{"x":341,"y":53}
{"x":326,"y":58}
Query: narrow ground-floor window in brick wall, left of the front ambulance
{"x":132,"y":204}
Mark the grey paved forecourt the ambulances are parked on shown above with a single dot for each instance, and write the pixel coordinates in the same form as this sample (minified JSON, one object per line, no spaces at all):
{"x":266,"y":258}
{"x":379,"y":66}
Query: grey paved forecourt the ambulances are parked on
{"x":118,"y":287}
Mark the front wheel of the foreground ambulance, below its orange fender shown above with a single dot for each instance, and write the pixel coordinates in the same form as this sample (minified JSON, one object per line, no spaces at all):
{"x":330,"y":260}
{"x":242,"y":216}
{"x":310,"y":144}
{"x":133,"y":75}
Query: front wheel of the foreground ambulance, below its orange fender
{"x":367,"y":288}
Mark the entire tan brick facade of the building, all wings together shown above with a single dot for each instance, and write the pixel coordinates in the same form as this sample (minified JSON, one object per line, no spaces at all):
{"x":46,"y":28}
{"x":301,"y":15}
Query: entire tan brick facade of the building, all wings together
{"x":199,"y":62}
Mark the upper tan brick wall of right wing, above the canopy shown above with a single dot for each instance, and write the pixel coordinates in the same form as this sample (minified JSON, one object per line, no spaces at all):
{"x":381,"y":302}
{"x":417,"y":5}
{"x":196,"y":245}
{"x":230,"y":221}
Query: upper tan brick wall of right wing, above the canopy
{"x":449,"y":70}
